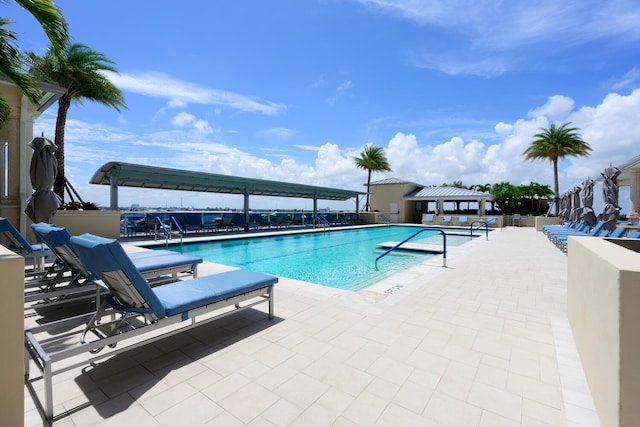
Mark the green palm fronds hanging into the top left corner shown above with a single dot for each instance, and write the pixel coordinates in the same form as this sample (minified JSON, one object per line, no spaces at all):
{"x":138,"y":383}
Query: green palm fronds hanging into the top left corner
{"x":11,"y":61}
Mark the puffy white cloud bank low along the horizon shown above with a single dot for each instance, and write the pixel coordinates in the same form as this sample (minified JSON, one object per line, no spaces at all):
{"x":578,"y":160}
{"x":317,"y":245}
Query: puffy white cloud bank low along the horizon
{"x":611,"y":127}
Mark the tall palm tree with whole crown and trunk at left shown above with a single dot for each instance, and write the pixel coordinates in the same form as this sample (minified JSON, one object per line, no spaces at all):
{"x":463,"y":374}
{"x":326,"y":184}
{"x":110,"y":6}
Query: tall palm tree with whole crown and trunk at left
{"x":79,"y":69}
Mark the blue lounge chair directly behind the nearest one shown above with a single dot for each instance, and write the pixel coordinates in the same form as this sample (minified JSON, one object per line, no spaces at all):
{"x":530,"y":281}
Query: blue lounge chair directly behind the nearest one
{"x":67,"y":277}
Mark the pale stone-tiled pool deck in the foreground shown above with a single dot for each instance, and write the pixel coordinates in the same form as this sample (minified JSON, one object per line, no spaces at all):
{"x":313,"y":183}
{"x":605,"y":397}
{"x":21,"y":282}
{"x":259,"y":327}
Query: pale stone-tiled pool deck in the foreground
{"x":483,"y":342}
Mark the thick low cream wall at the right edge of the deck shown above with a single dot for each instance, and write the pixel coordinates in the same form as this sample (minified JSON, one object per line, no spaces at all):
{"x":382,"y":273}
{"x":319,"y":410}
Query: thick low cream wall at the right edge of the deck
{"x":603,"y":306}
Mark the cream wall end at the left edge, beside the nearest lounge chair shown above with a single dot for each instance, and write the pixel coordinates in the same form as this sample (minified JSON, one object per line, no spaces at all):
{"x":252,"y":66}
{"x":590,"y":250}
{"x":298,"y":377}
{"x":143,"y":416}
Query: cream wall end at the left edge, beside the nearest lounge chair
{"x":12,"y":349}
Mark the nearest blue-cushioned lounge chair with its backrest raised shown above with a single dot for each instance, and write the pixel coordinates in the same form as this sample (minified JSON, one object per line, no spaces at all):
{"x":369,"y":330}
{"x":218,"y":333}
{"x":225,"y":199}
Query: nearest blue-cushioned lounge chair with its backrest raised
{"x":133,"y":309}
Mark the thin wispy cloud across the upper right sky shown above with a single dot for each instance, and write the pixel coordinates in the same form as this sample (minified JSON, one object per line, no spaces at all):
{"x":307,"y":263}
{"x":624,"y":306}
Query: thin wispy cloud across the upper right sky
{"x":488,"y":39}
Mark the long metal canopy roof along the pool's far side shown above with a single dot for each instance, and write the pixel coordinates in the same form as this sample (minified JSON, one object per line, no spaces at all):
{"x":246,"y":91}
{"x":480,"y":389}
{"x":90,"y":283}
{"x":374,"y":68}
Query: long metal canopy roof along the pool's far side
{"x":143,"y":176}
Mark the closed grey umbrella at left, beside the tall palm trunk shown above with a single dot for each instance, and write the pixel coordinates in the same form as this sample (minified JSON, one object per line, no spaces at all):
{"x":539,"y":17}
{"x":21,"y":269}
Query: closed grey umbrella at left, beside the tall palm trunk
{"x":43,"y":203}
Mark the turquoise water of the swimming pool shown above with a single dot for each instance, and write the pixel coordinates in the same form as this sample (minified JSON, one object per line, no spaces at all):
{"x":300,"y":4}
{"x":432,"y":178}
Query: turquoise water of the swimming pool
{"x":343,"y":259}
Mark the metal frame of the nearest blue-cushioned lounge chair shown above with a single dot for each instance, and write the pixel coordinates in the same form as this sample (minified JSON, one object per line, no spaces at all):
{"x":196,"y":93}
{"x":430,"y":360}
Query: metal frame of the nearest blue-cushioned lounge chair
{"x":131,"y":326}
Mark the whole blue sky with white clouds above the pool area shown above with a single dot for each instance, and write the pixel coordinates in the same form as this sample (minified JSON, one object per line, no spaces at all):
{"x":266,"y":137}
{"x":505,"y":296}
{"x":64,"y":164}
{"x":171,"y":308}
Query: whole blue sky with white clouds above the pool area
{"x":292,"y":90}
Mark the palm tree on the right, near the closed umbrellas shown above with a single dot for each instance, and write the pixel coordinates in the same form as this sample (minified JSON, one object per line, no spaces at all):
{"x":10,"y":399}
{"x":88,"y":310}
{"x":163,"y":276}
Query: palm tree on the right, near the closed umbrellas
{"x":554,"y":144}
